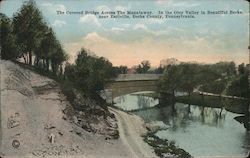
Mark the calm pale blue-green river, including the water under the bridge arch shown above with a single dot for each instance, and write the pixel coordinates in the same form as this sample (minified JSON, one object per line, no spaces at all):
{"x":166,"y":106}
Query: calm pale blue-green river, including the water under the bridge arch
{"x":201,"y":131}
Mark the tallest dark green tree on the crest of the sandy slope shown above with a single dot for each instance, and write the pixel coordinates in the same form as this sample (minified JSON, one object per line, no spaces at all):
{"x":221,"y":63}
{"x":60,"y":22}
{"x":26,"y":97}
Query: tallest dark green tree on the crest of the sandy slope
{"x":28,"y":27}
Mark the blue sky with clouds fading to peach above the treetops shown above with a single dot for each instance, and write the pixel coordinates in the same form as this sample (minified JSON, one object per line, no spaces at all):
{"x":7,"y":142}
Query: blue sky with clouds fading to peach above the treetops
{"x":205,"y":38}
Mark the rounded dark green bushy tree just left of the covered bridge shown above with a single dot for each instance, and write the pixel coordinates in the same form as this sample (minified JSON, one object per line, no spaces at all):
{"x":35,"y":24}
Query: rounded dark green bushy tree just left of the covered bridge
{"x":89,"y":73}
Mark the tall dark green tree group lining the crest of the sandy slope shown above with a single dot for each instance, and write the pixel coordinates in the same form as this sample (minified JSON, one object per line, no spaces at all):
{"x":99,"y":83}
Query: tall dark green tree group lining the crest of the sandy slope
{"x":32,"y":36}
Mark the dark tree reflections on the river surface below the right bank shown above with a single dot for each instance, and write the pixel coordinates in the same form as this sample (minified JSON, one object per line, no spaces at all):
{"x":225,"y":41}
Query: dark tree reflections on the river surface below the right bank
{"x":179,"y":115}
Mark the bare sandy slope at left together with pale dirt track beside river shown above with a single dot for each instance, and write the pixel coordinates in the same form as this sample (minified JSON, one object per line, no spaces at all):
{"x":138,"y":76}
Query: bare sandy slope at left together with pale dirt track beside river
{"x":31,"y":110}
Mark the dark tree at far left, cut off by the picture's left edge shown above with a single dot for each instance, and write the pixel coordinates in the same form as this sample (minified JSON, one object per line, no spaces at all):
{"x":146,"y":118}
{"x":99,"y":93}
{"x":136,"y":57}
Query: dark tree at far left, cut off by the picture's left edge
{"x":9,"y":49}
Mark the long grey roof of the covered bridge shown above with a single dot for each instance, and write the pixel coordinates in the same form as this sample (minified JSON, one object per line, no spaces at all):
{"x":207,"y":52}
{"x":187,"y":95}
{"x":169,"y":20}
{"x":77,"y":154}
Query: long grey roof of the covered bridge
{"x":137,"y":77}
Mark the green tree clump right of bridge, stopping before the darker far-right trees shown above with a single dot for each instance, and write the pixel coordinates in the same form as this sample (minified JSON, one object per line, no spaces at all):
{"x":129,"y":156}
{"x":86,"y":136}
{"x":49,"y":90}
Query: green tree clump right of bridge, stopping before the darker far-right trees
{"x":188,"y":76}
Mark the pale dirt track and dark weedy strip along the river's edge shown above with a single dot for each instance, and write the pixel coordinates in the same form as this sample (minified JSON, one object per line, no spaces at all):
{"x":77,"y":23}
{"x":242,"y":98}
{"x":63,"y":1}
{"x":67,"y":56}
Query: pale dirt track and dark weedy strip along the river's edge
{"x":139,"y":137}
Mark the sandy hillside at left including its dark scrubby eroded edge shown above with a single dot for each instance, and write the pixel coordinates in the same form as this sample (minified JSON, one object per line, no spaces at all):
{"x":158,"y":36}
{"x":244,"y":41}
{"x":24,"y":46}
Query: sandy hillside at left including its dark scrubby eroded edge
{"x":34,"y":111}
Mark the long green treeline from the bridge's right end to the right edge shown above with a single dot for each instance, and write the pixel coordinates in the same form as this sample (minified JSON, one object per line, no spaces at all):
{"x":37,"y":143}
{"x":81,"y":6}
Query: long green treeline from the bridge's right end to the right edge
{"x":219,"y":78}
